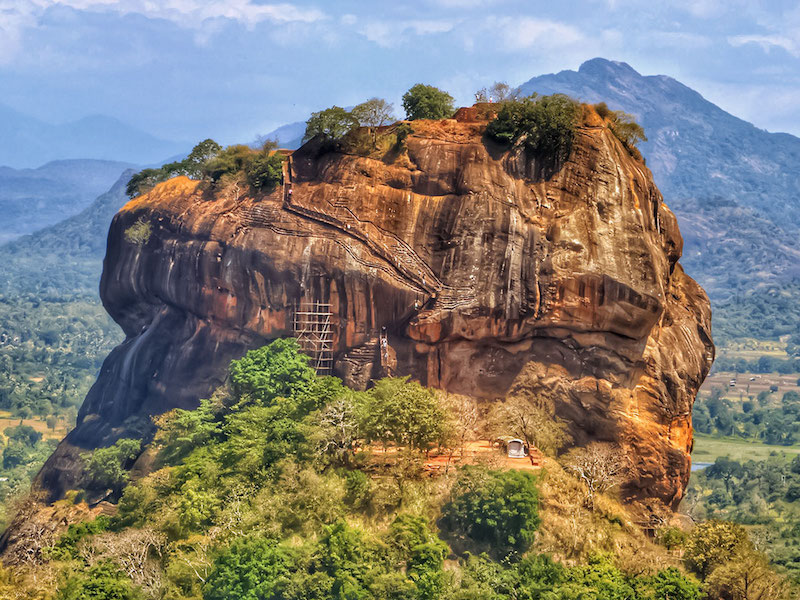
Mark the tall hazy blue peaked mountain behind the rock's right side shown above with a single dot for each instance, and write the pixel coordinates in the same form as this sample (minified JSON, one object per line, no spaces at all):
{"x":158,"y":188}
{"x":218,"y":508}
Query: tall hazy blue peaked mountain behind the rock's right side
{"x":734,"y":187}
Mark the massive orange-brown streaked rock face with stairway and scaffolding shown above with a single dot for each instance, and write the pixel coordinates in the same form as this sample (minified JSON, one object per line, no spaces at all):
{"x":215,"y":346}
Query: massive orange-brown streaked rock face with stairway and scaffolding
{"x":450,"y":262}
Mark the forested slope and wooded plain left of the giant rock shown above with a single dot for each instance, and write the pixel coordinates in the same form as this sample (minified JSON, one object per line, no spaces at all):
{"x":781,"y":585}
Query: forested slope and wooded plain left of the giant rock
{"x":54,"y":333}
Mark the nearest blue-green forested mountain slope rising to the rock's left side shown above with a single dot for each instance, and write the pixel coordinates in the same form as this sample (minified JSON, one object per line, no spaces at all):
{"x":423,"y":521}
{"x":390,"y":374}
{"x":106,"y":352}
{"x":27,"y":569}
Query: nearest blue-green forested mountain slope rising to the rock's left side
{"x":63,"y":260}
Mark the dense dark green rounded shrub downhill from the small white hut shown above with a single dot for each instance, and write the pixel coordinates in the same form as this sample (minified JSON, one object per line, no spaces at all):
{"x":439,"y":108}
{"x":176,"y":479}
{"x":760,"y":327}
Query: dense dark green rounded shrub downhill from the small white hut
{"x":497,"y":507}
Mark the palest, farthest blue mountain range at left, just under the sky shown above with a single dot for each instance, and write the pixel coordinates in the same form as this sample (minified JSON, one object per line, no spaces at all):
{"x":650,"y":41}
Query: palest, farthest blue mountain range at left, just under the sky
{"x":29,"y":142}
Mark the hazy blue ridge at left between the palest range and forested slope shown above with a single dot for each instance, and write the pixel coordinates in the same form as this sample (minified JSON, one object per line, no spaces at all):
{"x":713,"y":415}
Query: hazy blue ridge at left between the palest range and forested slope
{"x":31,"y":199}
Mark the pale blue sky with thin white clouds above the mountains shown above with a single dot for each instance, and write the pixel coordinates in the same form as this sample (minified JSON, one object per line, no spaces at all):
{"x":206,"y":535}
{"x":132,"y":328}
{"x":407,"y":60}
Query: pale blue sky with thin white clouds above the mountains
{"x":188,"y":69}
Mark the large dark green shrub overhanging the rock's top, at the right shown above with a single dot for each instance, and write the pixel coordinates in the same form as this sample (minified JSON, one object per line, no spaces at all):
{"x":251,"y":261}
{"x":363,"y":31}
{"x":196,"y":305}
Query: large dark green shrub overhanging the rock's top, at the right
{"x":543,"y":125}
